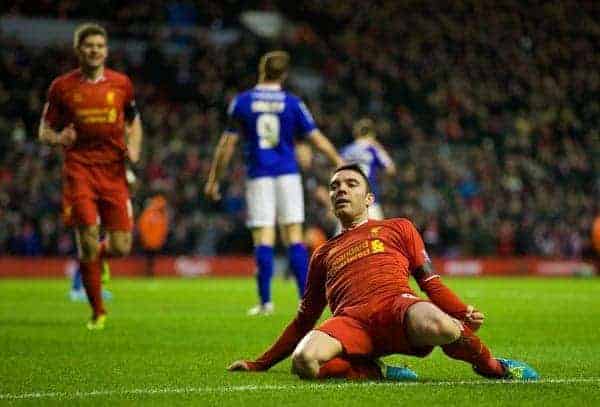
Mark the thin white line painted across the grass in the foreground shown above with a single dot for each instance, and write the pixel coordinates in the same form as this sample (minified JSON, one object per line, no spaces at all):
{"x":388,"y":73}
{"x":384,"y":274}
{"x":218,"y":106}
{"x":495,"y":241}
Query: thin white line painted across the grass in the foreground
{"x":302,"y":387}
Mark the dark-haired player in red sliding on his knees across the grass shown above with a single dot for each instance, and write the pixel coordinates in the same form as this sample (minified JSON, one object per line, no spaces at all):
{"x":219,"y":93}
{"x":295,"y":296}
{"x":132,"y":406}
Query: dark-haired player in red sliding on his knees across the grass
{"x":363,"y":275}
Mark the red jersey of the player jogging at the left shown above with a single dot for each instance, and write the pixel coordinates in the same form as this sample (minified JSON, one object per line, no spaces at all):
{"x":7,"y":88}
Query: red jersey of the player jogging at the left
{"x":97,"y":109}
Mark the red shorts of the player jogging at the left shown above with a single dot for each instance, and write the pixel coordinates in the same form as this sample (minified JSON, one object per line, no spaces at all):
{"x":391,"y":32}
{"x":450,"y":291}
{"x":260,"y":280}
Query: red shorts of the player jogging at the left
{"x":94,"y":194}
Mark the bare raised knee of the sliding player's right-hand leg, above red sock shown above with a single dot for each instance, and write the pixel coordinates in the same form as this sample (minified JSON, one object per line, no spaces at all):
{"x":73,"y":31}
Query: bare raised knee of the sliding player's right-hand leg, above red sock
{"x":427,"y":325}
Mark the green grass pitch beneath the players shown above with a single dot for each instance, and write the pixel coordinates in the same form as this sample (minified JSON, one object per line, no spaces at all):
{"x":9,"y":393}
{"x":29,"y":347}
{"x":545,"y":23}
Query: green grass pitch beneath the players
{"x":168,"y":342}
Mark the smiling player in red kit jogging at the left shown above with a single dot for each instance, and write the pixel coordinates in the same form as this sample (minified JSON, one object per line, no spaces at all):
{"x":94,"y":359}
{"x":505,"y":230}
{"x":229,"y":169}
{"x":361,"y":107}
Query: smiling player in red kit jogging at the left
{"x":91,"y":113}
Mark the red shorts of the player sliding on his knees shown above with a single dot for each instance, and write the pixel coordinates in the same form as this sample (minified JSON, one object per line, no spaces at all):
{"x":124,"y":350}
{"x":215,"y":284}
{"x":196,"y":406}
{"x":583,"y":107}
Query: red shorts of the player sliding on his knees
{"x":374,"y":330}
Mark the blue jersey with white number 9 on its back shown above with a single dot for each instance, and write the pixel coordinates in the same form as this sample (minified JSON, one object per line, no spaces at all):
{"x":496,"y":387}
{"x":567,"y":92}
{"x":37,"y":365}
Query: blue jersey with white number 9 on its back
{"x":270,"y":119}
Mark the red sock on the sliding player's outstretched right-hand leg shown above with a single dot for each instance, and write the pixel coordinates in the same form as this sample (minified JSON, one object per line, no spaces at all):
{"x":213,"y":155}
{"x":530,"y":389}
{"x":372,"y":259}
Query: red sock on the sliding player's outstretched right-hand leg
{"x":471,"y":349}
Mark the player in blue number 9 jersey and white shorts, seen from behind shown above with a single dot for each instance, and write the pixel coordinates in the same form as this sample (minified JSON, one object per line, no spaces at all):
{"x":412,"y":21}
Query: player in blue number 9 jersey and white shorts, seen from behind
{"x":269,"y":120}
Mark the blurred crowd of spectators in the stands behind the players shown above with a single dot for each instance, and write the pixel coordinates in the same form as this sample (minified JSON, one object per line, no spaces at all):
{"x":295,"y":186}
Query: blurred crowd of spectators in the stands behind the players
{"x":491,"y":110}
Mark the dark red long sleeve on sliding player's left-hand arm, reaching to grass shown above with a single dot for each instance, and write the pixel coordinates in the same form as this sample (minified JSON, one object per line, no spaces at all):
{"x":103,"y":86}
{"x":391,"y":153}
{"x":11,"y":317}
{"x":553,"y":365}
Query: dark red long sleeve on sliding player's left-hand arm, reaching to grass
{"x":311,"y":308}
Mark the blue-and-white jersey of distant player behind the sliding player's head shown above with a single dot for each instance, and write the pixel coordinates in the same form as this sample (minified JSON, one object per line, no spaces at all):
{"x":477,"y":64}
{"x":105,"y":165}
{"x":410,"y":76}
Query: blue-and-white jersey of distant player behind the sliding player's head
{"x":370,"y":159}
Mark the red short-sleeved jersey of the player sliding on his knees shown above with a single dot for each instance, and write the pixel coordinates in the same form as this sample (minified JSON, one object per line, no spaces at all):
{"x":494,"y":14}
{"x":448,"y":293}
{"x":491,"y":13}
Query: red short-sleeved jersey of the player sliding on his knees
{"x":364,"y":265}
